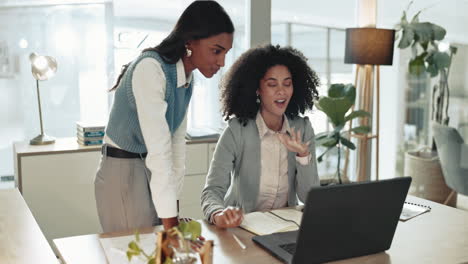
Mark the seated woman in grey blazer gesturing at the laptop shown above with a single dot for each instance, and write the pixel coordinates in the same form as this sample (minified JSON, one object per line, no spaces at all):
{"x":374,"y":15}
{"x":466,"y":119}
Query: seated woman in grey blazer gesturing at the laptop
{"x":265,"y":157}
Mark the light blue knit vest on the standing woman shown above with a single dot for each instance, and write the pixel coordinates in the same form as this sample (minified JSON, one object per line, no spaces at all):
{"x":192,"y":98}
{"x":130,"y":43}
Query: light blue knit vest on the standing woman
{"x":124,"y":127}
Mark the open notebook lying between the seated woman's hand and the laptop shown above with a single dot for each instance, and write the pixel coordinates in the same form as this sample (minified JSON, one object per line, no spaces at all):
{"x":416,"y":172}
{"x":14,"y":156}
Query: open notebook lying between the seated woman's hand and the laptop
{"x":279,"y":220}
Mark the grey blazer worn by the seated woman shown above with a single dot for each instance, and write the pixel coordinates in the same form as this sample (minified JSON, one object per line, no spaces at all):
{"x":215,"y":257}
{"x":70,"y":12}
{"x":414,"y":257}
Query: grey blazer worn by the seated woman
{"x":234,"y":175}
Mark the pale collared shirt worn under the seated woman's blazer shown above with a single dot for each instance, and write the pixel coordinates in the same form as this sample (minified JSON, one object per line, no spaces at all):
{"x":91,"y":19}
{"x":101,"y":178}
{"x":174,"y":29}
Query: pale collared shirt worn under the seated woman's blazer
{"x":274,"y":186}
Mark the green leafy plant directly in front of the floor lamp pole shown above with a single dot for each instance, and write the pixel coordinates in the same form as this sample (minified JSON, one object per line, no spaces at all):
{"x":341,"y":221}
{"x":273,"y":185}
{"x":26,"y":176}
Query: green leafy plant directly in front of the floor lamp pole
{"x":336,"y":106}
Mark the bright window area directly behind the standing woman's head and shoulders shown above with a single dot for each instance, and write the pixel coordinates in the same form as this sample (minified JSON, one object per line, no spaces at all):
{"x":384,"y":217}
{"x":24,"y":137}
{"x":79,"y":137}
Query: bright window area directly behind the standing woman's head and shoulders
{"x":131,"y":35}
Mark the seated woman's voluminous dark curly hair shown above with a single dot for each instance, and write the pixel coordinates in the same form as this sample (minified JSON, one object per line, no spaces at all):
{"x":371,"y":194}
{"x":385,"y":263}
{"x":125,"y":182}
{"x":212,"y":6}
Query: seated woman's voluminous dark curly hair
{"x":239,"y":85}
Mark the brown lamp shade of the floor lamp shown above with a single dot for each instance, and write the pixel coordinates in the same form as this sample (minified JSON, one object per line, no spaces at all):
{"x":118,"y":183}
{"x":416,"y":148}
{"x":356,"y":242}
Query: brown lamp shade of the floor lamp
{"x":369,"y":46}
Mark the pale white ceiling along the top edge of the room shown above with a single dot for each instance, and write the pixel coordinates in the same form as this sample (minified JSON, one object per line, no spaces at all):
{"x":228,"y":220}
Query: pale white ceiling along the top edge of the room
{"x":333,"y":13}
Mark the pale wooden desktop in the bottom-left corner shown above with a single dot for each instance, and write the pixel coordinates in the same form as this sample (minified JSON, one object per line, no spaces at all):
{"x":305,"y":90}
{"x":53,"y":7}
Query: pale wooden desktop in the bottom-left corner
{"x":21,"y":239}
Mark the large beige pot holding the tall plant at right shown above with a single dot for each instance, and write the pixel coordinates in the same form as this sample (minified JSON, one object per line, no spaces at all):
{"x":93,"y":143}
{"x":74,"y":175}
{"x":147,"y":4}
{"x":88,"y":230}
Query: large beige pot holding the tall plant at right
{"x":428,"y":180}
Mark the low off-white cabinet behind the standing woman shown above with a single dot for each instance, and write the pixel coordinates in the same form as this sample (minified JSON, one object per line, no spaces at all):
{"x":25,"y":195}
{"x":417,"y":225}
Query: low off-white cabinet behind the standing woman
{"x":57,"y":183}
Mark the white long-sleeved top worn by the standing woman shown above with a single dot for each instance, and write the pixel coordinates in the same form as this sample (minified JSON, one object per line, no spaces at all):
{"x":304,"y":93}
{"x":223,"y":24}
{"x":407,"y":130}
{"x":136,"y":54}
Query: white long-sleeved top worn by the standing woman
{"x":166,"y":153}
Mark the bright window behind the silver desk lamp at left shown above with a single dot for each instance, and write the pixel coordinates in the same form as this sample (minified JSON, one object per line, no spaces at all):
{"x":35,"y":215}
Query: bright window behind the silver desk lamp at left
{"x":77,"y":37}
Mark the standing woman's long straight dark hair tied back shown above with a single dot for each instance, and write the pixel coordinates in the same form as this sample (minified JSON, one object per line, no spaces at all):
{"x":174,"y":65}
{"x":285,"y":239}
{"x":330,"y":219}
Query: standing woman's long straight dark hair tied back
{"x":201,"y":19}
